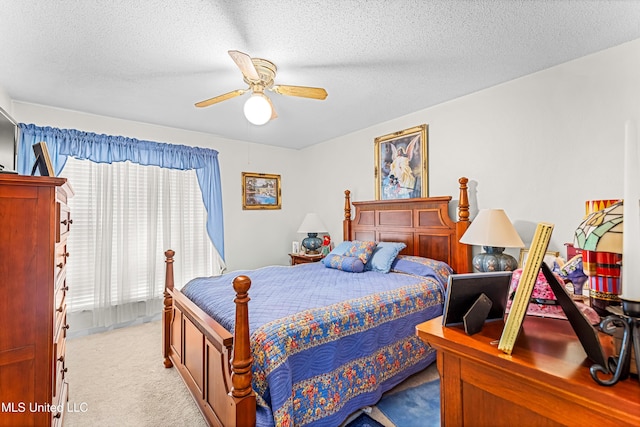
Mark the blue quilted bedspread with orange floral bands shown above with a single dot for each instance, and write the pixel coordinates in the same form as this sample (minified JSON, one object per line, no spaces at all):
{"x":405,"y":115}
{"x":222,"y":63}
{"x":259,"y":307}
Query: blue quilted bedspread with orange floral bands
{"x":325,"y":342}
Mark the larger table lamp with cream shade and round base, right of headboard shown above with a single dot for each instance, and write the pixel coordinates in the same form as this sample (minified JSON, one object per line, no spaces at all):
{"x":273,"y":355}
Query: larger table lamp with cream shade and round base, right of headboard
{"x":493,"y":230}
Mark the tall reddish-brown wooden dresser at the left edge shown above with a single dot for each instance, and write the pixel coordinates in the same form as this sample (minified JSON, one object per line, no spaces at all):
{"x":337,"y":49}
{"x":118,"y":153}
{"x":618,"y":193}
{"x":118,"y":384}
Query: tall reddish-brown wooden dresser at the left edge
{"x":35,"y":222}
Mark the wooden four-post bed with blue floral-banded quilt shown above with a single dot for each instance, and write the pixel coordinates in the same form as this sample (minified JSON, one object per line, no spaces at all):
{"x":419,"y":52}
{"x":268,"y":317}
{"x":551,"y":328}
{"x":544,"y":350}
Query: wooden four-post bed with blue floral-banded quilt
{"x":314,"y":359}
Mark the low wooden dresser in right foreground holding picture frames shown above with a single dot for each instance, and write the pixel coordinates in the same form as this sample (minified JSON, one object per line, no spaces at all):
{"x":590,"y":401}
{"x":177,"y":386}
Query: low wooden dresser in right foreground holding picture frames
{"x":544,"y":382}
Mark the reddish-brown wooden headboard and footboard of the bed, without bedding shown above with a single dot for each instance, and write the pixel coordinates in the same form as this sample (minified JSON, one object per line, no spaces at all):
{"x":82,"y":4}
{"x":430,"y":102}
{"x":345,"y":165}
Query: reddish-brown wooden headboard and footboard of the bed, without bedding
{"x":216,"y":365}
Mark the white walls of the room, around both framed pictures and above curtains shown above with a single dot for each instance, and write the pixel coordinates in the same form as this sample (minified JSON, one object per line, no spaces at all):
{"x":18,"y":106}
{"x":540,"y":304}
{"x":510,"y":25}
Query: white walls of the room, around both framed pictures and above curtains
{"x":538,"y":147}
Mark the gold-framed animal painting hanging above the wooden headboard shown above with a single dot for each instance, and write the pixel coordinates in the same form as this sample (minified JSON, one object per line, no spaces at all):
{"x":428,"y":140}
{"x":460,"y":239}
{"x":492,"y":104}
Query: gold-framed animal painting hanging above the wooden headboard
{"x":401,"y":160}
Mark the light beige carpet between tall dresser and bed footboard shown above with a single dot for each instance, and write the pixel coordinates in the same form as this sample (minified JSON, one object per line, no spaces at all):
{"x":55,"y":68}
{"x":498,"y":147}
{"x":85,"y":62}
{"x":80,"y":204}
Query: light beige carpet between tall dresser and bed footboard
{"x":118,"y":379}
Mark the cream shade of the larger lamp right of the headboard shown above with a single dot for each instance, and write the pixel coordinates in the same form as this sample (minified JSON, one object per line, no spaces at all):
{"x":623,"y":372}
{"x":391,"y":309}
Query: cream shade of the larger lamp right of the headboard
{"x":492,"y":227}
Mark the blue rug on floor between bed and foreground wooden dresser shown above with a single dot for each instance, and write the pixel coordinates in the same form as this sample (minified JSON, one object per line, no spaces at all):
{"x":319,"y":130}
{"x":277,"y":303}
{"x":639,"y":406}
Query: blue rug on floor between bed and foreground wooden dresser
{"x":414,"y":407}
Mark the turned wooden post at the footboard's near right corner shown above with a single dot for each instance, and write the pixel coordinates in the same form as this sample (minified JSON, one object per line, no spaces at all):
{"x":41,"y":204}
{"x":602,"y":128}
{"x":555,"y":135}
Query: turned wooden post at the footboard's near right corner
{"x":242,"y":359}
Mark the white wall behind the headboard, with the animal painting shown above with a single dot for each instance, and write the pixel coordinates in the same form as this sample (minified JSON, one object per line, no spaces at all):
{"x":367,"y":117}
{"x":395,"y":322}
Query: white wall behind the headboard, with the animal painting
{"x":538,"y":146}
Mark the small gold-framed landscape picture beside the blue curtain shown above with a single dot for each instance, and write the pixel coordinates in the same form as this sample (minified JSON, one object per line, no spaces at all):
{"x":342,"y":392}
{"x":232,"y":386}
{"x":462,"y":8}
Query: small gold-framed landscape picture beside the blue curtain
{"x":260,"y":191}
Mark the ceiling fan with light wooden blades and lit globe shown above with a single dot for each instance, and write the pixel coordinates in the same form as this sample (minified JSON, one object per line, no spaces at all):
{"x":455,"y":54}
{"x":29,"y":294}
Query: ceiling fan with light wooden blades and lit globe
{"x":259,"y":74}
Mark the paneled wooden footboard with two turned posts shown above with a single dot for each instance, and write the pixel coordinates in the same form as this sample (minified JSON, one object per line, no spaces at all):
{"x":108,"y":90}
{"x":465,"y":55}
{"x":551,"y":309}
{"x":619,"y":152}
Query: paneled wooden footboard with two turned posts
{"x":217,"y":373}
